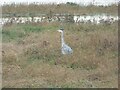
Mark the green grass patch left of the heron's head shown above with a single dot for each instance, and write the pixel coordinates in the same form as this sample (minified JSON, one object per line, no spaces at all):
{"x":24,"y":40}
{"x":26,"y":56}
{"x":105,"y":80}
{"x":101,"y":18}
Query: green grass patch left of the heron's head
{"x":18,"y":32}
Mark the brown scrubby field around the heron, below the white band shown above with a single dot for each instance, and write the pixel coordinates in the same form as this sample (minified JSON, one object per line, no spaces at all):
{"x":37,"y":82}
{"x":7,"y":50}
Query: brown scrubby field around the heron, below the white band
{"x":32,"y":56}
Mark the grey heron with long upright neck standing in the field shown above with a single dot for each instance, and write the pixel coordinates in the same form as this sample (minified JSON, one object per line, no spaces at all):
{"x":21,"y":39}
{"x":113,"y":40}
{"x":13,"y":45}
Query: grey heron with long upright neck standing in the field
{"x":65,"y":49}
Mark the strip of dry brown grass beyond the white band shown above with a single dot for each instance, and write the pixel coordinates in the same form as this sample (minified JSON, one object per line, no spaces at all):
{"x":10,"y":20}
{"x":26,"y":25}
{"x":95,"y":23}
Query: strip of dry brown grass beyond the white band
{"x":33,"y":10}
